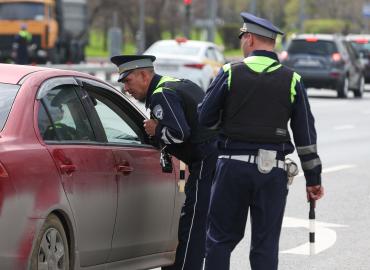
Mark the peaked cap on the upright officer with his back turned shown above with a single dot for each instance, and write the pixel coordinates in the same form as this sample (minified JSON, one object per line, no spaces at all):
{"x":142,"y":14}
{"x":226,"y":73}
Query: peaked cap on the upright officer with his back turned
{"x":258,"y":26}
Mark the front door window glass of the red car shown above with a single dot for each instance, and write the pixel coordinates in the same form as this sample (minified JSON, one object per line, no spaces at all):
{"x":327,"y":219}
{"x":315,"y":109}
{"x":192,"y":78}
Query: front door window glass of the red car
{"x":117,"y":126}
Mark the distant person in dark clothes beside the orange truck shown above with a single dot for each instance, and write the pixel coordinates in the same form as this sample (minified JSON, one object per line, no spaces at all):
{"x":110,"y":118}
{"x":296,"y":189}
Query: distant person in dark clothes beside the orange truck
{"x":20,"y":46}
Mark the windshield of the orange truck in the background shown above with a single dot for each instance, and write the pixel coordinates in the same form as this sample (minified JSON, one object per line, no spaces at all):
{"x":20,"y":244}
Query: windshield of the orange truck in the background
{"x":22,"y":11}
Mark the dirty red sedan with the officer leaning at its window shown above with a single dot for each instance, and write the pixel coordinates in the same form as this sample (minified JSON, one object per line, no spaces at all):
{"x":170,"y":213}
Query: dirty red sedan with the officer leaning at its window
{"x":81,"y":186}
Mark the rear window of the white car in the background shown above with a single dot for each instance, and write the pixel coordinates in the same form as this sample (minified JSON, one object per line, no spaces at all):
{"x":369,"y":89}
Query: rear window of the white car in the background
{"x":181,"y":49}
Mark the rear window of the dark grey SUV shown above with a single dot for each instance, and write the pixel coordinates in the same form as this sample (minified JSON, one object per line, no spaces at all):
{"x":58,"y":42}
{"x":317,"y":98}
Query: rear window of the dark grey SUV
{"x":319,"y":47}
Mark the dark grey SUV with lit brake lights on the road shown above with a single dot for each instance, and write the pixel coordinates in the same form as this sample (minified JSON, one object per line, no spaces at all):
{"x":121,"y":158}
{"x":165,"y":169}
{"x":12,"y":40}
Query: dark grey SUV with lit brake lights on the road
{"x":325,"y":61}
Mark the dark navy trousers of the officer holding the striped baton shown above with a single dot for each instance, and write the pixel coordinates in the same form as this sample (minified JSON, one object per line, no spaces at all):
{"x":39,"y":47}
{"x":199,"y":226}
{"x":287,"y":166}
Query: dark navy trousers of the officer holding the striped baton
{"x":240,"y":187}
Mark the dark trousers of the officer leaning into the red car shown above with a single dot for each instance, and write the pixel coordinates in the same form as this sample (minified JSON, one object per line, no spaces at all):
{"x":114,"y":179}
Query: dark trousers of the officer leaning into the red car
{"x":190,"y":251}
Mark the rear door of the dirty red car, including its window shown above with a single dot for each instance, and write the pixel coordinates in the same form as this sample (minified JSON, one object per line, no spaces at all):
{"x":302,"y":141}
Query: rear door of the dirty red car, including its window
{"x":86,"y":167}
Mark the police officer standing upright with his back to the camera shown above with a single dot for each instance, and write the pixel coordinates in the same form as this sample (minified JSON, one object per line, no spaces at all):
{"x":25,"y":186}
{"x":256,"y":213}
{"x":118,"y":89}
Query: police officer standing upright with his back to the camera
{"x":252,"y":102}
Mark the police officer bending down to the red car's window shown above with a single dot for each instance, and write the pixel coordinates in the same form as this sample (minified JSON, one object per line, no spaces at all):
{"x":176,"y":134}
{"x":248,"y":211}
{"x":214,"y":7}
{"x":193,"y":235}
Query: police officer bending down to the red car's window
{"x":173,"y":105}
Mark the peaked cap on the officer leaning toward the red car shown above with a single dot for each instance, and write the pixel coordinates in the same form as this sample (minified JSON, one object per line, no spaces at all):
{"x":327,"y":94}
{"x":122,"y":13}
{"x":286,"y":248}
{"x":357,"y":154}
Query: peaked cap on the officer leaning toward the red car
{"x":127,"y":63}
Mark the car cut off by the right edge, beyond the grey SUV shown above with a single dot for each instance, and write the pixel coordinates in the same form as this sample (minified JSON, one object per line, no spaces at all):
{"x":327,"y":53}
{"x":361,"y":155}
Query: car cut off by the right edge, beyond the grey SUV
{"x":361,"y":44}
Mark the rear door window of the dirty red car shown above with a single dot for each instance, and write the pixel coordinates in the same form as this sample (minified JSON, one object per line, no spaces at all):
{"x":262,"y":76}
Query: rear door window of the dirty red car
{"x":62,"y":116}
